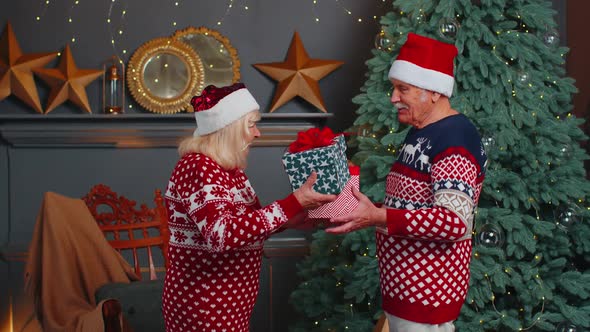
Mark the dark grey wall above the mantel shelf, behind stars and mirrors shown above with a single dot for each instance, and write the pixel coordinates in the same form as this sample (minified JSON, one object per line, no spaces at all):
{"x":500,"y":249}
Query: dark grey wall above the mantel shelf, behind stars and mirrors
{"x":260,"y":34}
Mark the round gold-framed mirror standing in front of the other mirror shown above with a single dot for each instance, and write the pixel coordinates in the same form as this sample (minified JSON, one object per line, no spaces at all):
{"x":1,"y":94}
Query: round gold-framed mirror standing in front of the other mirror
{"x":163,"y":75}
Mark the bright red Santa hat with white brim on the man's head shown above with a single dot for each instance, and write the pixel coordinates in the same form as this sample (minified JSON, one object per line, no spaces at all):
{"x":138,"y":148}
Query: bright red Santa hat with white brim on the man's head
{"x":426,"y":63}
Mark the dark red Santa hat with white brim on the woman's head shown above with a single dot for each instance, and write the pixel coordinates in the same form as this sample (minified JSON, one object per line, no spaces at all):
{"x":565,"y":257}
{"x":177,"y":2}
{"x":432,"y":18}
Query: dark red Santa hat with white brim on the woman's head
{"x":217,"y":107}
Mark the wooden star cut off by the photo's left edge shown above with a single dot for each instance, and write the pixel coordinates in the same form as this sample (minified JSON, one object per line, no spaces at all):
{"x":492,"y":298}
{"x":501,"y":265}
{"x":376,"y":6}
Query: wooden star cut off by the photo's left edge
{"x":16,"y":75}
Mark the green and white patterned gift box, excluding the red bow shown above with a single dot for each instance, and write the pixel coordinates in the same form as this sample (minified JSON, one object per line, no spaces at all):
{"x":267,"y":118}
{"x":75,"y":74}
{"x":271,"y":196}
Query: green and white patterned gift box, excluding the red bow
{"x":329,"y":162}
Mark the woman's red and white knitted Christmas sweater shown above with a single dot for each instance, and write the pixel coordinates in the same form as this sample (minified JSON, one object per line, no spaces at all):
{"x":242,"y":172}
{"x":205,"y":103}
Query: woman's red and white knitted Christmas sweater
{"x":217,"y":230}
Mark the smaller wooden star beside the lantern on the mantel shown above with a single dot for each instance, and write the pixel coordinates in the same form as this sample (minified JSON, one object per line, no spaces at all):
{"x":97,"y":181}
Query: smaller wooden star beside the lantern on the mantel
{"x":67,"y":82}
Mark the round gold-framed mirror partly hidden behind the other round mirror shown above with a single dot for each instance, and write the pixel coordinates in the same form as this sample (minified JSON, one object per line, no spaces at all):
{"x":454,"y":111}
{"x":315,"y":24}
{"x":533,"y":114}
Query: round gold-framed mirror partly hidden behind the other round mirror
{"x":219,"y":57}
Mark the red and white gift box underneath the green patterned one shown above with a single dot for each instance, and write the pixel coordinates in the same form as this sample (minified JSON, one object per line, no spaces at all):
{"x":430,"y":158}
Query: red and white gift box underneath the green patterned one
{"x":344,"y":204}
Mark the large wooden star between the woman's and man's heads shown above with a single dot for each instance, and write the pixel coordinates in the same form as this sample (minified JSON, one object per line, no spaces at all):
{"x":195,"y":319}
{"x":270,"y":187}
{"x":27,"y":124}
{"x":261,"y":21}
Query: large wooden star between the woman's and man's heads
{"x":298,"y":76}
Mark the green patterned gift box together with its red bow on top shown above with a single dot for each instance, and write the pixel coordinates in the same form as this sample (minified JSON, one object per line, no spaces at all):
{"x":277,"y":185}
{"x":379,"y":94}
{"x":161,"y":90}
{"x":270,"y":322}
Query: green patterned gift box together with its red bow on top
{"x":321,"y":151}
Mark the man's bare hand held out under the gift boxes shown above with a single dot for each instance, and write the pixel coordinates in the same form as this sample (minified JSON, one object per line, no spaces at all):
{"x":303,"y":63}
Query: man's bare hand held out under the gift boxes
{"x":365,"y":215}
